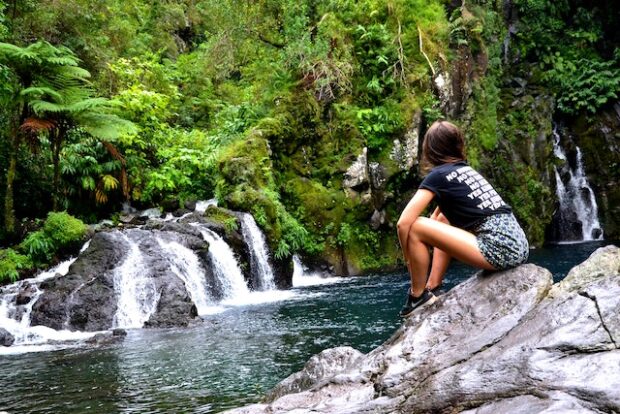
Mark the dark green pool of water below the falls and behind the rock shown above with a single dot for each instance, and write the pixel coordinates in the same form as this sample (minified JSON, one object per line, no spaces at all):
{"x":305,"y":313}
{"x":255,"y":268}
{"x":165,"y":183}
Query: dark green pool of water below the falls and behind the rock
{"x":232,"y":358}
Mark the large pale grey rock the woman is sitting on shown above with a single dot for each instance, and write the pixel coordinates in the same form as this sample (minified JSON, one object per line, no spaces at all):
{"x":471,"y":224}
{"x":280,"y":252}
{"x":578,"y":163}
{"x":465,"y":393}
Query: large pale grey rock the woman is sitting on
{"x":510,"y":342}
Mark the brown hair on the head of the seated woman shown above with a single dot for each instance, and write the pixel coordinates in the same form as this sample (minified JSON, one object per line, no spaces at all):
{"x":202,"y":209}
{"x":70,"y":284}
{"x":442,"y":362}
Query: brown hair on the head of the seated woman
{"x":443,"y":143}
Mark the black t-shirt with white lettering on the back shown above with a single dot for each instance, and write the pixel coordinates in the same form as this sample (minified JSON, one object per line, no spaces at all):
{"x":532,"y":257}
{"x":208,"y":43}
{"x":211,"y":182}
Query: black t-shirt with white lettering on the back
{"x":463,"y":195}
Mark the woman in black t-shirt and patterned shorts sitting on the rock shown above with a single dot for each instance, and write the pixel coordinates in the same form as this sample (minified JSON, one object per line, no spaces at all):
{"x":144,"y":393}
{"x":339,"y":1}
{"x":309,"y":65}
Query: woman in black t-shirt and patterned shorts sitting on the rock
{"x":471,"y":222}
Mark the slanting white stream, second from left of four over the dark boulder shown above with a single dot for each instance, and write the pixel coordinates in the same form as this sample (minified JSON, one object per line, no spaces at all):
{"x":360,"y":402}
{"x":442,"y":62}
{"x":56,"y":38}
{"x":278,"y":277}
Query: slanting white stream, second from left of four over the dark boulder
{"x":185,"y":264}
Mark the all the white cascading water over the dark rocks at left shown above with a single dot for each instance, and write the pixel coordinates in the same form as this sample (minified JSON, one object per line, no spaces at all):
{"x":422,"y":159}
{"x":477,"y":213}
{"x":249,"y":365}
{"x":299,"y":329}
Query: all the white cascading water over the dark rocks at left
{"x":136,"y":285}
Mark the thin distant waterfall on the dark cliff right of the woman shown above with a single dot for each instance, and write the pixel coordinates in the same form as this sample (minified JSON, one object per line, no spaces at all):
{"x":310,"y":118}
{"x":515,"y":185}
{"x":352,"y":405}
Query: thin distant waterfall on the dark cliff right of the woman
{"x":577,"y":216}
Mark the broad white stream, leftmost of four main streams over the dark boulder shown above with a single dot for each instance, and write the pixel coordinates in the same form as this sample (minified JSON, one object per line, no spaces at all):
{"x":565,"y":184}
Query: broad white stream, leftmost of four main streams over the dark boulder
{"x":136,"y":293}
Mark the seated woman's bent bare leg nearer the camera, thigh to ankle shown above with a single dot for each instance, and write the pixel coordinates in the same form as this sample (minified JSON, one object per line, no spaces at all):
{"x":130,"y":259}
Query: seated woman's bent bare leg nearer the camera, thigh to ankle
{"x":453,"y":241}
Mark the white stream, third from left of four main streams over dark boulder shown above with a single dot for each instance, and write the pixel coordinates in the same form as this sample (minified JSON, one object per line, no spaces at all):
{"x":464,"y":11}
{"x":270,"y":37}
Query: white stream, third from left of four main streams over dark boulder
{"x":226,"y":268}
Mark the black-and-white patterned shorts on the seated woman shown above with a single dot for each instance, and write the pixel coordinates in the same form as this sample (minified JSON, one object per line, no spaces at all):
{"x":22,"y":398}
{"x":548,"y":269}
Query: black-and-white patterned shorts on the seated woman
{"x":502,"y":241}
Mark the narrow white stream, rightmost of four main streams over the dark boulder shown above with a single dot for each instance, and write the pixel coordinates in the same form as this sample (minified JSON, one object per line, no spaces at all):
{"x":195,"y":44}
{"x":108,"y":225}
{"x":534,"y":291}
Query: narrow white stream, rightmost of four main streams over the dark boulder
{"x":259,"y":255}
